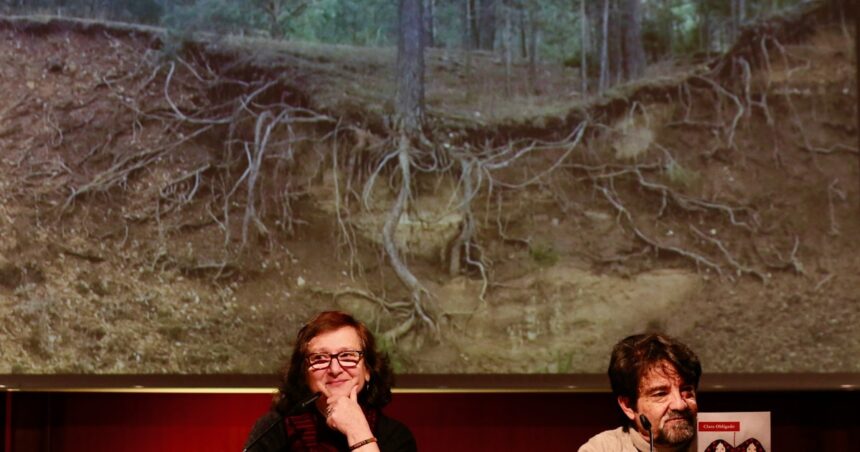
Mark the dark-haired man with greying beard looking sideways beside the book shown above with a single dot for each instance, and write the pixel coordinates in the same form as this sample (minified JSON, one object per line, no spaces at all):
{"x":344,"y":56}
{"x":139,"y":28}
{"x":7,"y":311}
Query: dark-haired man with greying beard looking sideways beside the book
{"x":654,"y":379}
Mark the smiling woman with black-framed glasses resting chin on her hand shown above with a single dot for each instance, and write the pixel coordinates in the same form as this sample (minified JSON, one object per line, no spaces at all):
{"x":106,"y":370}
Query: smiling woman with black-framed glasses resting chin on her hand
{"x":331,"y":394}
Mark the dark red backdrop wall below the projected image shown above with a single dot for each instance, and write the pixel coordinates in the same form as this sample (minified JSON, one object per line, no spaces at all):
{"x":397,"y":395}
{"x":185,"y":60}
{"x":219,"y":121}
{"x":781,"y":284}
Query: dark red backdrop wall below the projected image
{"x":549,"y":421}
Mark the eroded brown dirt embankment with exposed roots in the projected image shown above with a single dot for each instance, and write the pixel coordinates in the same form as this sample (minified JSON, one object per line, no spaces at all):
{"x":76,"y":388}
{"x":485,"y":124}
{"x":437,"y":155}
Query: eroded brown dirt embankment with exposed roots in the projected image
{"x":723,"y":212}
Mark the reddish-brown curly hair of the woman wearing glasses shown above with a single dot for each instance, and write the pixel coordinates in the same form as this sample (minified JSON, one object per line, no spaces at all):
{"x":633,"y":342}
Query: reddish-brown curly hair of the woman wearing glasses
{"x":293,"y":387}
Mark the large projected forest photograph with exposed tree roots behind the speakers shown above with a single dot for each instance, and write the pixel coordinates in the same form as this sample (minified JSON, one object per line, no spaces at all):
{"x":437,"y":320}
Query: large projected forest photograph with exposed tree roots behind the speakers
{"x":492,"y":186}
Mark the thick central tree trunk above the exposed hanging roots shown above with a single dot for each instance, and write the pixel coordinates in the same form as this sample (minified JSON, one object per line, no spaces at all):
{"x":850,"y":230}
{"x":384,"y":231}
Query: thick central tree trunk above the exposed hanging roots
{"x":409,"y":106}
